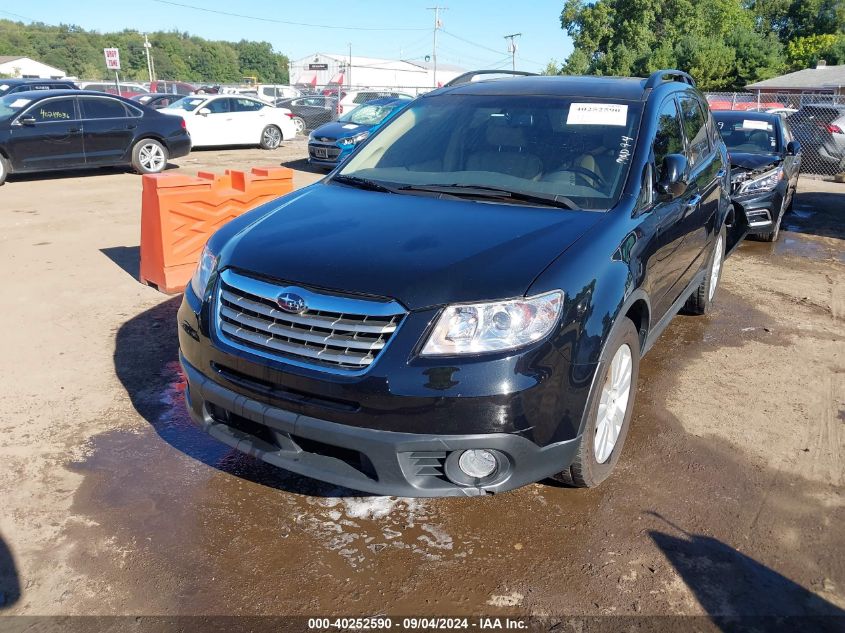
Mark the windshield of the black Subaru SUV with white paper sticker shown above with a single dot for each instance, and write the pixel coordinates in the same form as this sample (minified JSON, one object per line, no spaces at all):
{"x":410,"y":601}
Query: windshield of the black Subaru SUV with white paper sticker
{"x":572,"y":147}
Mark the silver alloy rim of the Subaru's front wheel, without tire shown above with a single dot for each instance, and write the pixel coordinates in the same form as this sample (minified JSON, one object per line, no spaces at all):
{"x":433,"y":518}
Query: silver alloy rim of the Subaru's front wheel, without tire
{"x":615,"y":394}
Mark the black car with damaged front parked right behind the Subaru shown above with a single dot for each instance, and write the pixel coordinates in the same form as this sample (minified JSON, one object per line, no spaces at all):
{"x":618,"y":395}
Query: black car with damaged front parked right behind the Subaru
{"x":765,"y":161}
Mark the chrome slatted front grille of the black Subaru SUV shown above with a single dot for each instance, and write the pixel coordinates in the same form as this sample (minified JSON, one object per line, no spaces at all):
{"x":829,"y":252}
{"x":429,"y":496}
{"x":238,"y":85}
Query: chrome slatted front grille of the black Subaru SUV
{"x":334,"y":331}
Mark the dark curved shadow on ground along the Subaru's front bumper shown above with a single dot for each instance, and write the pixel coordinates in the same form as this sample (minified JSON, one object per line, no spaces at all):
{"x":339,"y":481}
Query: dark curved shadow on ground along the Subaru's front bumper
{"x":146,"y":363}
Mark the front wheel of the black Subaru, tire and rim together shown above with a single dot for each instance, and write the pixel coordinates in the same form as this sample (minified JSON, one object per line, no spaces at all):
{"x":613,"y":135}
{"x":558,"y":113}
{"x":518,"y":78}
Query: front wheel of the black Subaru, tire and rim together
{"x":598,"y":451}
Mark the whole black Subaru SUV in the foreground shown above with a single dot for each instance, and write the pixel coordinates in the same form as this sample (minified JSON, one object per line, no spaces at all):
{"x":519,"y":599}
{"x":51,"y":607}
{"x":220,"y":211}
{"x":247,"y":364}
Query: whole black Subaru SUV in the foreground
{"x":461,"y":307}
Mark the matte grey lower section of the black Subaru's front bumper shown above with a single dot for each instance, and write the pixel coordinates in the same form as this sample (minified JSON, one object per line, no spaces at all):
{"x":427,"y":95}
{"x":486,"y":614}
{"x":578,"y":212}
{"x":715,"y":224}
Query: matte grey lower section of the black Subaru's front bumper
{"x":369,"y":460}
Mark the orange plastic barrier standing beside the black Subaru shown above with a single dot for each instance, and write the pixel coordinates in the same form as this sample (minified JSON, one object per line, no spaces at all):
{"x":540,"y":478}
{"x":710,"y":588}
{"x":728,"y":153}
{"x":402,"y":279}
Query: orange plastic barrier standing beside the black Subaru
{"x":179,"y":213}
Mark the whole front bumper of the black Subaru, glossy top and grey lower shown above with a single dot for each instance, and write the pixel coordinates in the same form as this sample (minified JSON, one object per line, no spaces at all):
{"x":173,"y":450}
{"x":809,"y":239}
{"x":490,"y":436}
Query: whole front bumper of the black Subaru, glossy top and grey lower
{"x":389,"y":430}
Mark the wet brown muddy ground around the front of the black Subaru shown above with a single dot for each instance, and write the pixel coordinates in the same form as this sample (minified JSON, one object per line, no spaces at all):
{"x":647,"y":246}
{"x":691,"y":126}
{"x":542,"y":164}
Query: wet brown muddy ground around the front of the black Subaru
{"x":682,"y":523}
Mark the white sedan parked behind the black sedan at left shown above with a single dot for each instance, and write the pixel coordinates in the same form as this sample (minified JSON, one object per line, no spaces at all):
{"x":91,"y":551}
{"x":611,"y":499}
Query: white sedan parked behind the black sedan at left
{"x":233,"y":120}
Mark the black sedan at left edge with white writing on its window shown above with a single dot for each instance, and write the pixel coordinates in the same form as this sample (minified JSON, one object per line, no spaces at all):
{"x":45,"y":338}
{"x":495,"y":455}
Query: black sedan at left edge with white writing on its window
{"x":68,"y":129}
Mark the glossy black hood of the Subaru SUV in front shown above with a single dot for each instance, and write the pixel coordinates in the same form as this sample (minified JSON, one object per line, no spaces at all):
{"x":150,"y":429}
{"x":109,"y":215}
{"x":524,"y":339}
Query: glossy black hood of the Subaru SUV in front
{"x":420,"y":250}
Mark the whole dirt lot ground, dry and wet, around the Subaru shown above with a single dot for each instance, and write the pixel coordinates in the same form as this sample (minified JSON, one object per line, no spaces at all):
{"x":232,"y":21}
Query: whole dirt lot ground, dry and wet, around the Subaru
{"x":729,"y":497}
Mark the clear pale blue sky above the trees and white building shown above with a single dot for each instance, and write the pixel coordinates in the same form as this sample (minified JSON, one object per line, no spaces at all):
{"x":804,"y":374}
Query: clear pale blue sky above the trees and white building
{"x":472,"y":34}
